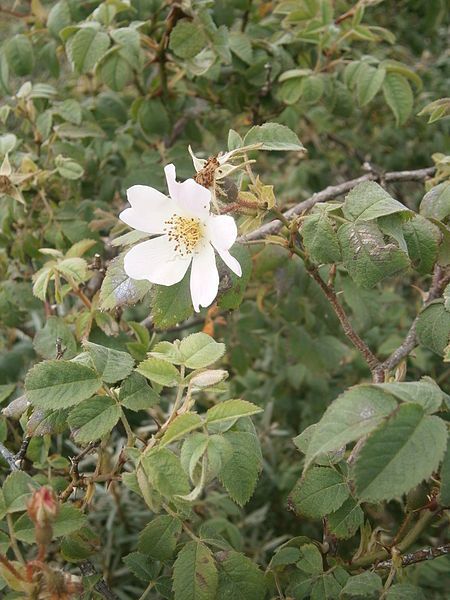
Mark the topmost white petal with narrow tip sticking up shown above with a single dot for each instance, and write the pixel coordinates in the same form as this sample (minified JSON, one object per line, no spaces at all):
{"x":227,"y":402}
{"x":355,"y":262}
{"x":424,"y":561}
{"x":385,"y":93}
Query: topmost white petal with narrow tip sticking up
{"x":191,"y":197}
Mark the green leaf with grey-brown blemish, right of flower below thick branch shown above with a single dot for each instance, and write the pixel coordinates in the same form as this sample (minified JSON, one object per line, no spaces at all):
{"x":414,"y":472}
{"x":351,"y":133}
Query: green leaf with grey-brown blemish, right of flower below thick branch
{"x":366,"y":256}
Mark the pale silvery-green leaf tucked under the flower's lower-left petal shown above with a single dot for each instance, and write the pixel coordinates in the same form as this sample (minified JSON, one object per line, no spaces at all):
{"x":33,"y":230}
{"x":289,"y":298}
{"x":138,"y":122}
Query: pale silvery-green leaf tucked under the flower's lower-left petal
{"x":118,"y":289}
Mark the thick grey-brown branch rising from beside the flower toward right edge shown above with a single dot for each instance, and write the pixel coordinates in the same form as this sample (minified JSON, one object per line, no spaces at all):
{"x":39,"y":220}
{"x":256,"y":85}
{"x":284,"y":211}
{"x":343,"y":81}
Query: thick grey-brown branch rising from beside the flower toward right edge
{"x":332,"y":192}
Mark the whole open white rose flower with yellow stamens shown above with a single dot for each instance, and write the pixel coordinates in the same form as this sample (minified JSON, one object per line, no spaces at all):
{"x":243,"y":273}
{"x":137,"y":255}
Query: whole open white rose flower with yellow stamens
{"x":187,"y":233}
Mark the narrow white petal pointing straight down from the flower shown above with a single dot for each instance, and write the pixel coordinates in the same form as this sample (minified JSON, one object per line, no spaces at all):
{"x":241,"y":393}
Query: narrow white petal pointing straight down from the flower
{"x":204,"y":278}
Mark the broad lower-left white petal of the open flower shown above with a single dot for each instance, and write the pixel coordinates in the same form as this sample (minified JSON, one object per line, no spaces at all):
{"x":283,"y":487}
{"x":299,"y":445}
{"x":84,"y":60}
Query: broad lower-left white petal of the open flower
{"x":157,"y":261}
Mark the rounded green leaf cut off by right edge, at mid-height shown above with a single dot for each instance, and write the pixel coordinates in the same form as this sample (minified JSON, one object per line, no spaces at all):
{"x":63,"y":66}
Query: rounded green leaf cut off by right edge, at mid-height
{"x":433,"y":327}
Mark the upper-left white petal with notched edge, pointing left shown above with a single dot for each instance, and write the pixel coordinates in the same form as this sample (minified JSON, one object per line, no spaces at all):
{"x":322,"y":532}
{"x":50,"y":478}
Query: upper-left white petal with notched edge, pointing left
{"x":149,"y":209}
